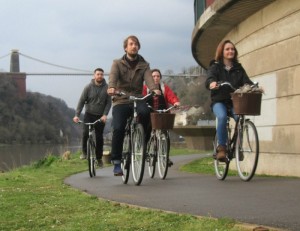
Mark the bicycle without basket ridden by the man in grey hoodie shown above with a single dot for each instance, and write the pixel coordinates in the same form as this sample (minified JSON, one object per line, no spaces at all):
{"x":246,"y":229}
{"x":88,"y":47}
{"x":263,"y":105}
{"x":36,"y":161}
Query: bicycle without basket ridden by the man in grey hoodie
{"x":91,"y":148}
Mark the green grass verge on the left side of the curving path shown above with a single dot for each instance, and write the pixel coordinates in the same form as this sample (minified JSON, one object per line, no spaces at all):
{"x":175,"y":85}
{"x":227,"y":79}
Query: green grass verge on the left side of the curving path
{"x":35,"y":198}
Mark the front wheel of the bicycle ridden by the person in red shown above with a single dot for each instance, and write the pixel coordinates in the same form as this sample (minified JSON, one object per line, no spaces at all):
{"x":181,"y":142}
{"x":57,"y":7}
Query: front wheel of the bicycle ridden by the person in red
{"x":163,"y":155}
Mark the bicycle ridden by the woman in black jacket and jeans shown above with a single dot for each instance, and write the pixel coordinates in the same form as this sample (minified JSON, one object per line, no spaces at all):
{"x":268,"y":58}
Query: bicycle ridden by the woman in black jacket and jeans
{"x":242,"y":144}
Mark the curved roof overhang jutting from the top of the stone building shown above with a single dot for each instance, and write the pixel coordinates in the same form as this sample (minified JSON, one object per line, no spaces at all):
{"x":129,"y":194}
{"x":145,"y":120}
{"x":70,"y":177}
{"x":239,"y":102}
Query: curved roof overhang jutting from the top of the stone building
{"x":216,"y":21}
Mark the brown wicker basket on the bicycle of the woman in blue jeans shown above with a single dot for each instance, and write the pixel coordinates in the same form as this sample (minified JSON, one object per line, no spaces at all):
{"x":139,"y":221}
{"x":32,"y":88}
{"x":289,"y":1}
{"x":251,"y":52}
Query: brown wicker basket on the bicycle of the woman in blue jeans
{"x":246,"y":103}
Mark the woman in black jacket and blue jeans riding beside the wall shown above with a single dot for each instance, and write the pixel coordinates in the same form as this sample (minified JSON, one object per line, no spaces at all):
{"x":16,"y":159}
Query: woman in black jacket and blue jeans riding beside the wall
{"x":225,"y":67}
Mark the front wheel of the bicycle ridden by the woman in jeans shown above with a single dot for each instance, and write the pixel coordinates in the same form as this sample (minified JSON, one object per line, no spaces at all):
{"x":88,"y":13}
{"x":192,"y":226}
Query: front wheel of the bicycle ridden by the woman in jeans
{"x":247,"y":151}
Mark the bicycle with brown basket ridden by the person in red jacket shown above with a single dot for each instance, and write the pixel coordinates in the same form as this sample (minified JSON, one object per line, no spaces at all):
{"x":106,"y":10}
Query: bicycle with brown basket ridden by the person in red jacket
{"x":158,"y":147}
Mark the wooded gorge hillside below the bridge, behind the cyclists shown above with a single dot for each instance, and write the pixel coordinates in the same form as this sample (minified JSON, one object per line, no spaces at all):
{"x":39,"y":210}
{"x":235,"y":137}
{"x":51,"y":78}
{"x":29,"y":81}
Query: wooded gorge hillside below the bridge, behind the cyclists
{"x":39,"y":118}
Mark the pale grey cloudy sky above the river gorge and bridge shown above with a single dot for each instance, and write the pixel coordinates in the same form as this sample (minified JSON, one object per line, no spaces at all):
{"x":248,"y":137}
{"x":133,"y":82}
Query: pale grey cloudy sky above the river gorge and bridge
{"x":86,"y":34}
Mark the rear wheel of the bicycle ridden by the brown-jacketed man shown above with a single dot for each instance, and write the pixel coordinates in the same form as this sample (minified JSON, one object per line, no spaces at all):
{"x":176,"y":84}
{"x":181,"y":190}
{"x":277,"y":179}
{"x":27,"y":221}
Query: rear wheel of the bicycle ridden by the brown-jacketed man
{"x":125,"y":162}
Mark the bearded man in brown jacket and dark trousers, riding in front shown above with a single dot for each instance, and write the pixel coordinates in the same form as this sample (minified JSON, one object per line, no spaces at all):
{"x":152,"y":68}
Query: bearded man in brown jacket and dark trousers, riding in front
{"x":128,"y":74}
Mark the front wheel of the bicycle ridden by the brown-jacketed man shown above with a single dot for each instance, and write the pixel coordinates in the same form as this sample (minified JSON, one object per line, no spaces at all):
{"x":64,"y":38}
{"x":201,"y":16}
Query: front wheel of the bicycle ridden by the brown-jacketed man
{"x":138,"y":154}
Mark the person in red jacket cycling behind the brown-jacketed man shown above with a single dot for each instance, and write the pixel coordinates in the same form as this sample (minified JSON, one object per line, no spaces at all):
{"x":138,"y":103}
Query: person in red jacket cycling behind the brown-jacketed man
{"x":159,"y":102}
